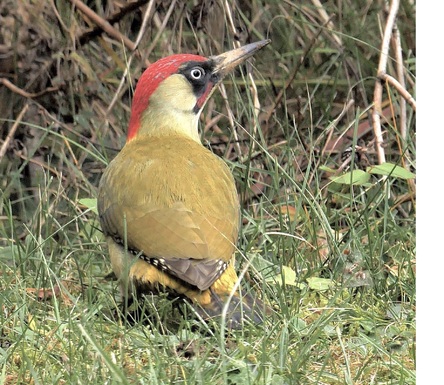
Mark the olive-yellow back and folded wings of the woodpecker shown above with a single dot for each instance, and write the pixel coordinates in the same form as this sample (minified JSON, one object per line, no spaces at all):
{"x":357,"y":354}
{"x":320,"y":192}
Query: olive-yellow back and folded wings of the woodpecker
{"x":180,"y":204}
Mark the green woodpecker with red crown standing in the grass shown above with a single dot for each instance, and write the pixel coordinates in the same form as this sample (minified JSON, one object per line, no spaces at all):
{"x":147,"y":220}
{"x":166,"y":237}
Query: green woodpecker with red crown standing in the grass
{"x":168,"y":206}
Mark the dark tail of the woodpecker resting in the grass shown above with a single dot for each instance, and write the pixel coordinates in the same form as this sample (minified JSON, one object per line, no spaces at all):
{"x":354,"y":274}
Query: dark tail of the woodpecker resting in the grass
{"x":236,"y":309}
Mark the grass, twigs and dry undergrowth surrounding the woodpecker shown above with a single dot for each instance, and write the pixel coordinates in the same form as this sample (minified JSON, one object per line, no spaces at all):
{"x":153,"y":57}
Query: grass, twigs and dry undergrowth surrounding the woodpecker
{"x":334,"y":259}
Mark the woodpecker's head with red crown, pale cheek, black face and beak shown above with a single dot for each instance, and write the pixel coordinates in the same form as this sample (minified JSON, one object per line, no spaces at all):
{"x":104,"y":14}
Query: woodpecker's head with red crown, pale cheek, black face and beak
{"x":172,"y":92}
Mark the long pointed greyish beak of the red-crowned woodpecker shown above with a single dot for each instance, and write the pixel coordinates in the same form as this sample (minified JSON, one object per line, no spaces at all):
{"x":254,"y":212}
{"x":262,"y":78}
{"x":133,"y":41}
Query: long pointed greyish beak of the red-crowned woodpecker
{"x":227,"y":61}
